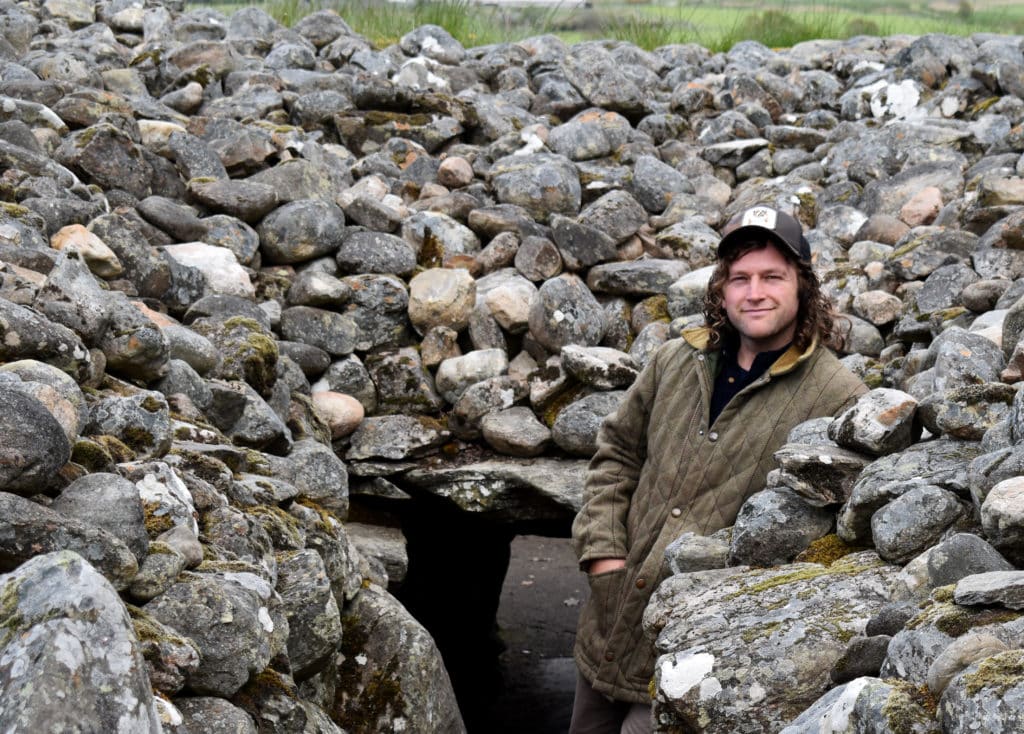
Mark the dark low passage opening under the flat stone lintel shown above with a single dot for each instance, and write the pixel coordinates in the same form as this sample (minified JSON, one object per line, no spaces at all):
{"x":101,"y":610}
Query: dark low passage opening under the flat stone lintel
{"x":502,"y":609}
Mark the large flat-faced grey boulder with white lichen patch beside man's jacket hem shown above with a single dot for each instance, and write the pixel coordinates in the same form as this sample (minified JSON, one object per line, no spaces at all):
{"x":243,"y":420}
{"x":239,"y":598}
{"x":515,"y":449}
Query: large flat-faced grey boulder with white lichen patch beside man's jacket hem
{"x":686,"y":621}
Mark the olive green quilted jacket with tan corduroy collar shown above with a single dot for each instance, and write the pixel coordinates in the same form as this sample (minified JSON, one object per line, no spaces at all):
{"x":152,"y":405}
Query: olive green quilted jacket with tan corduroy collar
{"x":661,"y":471}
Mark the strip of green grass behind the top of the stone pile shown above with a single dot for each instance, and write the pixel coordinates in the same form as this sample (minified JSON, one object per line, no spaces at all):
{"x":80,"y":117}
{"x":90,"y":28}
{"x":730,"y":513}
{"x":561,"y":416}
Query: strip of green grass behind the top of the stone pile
{"x":717,"y":26}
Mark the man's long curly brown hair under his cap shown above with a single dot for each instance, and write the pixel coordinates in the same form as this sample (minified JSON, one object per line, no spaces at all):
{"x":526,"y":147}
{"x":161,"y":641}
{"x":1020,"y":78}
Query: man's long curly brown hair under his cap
{"x":816,"y":315}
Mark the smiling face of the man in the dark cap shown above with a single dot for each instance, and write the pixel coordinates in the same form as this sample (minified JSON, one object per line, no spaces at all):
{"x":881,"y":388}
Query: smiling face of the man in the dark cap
{"x":761,"y":300}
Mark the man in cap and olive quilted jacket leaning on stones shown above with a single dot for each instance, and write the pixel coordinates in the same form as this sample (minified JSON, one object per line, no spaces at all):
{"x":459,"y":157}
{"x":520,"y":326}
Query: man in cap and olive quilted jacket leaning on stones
{"x":693,"y":440}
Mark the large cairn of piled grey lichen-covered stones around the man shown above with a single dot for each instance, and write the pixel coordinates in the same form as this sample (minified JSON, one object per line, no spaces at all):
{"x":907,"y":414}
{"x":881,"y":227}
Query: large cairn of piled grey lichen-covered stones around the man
{"x":254,"y":277}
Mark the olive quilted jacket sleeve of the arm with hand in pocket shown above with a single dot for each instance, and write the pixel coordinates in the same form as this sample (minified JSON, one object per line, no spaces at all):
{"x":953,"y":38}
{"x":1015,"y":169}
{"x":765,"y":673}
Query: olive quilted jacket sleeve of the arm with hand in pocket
{"x":600,"y":529}
